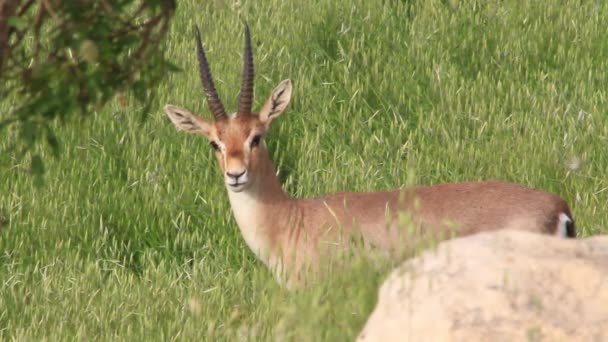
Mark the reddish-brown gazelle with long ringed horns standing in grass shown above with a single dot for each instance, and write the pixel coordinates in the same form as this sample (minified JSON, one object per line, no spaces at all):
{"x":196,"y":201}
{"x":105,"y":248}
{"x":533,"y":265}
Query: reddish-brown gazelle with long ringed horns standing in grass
{"x":288,"y":234}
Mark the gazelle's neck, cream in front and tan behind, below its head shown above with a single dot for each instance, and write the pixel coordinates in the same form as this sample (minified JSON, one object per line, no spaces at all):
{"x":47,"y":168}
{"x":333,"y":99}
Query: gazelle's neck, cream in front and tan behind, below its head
{"x":255,"y":207}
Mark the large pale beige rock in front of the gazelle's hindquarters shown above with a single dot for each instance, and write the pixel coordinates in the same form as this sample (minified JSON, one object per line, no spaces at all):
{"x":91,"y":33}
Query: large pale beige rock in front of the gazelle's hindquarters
{"x":497,"y":286}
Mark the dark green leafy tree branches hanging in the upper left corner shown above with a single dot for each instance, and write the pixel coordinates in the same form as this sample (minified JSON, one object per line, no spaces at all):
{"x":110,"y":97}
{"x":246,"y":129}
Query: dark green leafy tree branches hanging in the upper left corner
{"x":67,"y":57}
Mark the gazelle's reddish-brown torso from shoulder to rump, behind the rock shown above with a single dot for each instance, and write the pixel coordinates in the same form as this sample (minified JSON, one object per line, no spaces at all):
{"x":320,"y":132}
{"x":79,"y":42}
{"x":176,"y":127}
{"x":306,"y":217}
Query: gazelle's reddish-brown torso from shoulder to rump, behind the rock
{"x":451,"y":208}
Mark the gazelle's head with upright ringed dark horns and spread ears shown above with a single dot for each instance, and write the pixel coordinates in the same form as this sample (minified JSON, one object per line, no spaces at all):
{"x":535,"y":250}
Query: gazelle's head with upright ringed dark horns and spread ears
{"x":236,"y":137}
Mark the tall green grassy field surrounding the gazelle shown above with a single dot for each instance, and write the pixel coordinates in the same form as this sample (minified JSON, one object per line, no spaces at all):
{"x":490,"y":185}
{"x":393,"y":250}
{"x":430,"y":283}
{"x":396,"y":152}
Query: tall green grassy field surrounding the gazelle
{"x":132,"y":236}
